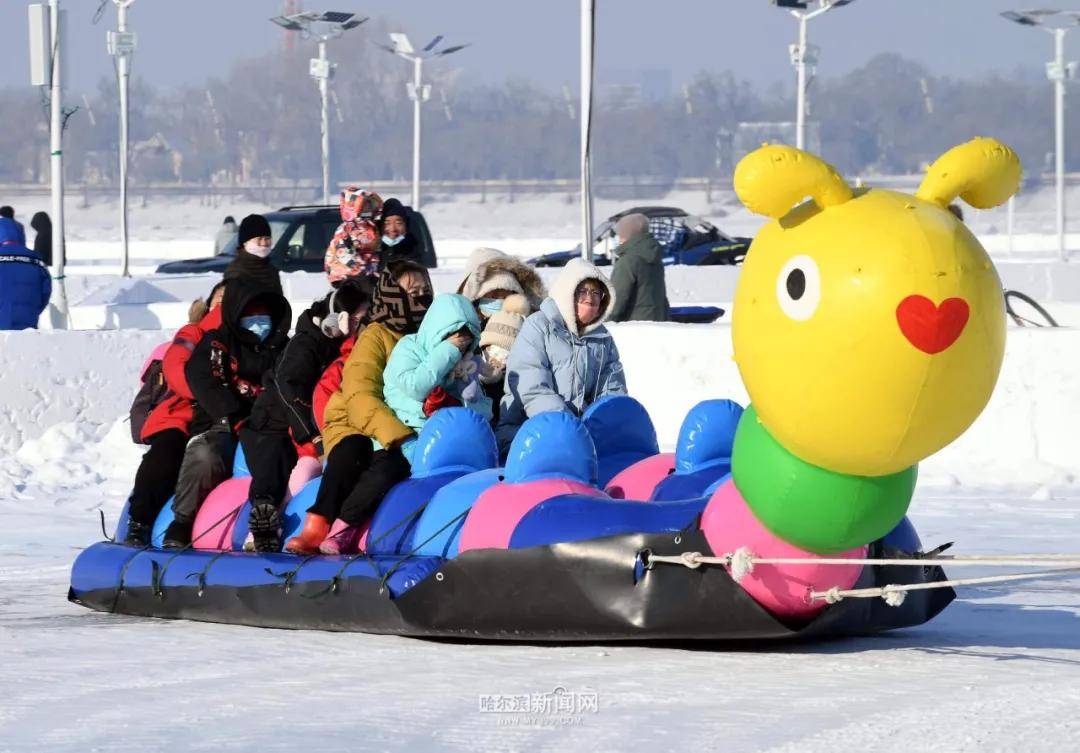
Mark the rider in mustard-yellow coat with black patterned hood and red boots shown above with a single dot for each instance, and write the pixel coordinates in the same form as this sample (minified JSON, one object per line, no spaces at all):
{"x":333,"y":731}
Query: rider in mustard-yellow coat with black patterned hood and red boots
{"x":362,"y":437}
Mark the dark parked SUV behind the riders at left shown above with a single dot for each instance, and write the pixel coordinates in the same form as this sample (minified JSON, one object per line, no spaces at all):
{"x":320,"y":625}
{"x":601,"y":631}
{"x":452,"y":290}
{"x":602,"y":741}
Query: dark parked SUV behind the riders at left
{"x":300,"y":237}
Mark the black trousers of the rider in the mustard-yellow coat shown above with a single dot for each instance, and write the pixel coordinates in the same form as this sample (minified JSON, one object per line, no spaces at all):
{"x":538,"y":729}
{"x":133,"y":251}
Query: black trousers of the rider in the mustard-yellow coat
{"x":357,"y":478}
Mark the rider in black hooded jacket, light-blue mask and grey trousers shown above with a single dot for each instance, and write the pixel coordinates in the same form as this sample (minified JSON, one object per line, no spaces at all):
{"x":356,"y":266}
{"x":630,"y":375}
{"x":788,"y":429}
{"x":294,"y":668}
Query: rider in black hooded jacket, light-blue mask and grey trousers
{"x":226,"y":375}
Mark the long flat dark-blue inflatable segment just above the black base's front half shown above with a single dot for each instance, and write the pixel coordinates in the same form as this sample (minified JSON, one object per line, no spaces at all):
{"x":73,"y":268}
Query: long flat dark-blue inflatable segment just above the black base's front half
{"x":577,"y":518}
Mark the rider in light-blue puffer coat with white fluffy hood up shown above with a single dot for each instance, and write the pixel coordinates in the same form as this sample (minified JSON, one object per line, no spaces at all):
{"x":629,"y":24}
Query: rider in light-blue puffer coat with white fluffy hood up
{"x":564,"y":359}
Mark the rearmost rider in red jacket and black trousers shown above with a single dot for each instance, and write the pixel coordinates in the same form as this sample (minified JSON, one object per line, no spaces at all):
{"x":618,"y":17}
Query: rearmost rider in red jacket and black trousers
{"x":168,"y":426}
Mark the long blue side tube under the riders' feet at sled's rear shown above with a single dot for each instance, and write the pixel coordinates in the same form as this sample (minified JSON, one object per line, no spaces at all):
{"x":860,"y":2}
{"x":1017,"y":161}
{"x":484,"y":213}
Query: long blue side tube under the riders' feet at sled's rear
{"x":101,"y":568}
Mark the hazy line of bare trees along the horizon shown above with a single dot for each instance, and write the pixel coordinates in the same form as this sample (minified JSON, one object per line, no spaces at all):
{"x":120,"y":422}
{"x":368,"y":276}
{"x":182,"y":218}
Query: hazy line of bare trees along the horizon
{"x":261,"y":123}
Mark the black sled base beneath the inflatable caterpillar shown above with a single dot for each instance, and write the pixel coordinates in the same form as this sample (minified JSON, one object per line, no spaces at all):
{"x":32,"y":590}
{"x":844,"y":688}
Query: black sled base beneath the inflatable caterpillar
{"x":585,"y":591}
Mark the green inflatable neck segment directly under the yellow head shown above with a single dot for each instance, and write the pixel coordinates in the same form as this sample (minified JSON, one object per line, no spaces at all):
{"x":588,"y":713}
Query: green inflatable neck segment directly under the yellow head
{"x":811,"y":507}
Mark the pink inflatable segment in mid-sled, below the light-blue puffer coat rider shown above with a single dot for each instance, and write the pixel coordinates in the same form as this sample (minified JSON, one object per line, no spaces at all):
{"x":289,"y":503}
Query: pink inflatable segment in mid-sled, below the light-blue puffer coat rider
{"x":497,"y":513}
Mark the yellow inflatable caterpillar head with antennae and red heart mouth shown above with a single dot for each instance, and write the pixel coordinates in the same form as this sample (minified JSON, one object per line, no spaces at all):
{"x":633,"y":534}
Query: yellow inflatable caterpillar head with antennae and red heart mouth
{"x":869,"y":325}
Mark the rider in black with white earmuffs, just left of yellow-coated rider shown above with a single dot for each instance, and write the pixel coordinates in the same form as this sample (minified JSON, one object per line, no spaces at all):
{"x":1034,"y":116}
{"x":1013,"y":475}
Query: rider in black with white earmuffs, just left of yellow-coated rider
{"x":282,"y":420}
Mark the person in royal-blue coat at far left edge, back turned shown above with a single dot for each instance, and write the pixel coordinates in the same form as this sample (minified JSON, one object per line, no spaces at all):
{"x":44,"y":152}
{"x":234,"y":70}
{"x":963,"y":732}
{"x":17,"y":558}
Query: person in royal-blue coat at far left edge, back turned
{"x":25,"y":285}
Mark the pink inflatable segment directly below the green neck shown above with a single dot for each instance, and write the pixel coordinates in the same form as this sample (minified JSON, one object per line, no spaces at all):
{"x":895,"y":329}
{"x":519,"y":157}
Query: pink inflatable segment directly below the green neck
{"x":784,"y":590}
